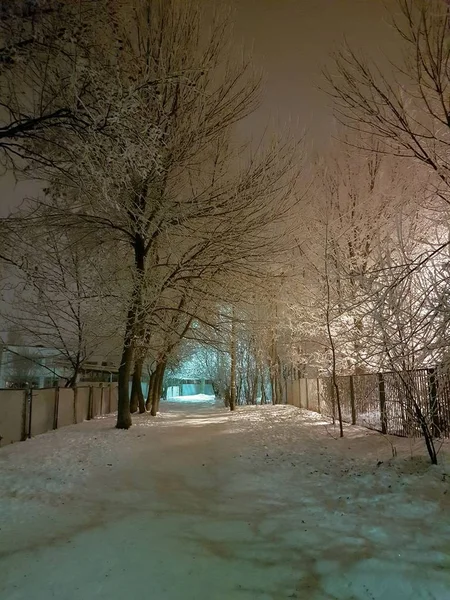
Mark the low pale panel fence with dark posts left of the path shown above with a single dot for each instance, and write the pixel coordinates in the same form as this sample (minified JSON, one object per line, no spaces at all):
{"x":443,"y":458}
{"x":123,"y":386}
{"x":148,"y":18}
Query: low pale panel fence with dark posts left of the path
{"x":26,"y":413}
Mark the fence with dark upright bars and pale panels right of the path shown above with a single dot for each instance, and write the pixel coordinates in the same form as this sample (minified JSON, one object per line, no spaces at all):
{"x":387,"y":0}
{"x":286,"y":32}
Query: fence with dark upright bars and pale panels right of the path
{"x":386,"y":402}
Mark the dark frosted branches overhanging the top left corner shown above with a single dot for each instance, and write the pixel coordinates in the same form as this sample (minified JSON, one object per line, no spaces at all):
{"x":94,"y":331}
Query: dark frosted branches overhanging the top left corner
{"x":44,"y":94}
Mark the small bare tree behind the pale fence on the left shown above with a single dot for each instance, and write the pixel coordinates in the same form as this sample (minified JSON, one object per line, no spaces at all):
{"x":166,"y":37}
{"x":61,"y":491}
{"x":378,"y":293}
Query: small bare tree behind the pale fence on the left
{"x":61,"y":297}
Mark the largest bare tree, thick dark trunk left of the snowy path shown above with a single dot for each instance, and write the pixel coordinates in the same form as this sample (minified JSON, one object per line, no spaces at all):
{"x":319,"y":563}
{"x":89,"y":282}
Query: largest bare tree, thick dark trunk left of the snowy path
{"x":165,"y":183}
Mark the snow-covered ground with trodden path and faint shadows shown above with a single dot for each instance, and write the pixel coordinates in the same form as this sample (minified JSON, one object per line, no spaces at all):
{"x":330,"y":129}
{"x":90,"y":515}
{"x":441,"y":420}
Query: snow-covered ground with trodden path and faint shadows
{"x":201,"y":504}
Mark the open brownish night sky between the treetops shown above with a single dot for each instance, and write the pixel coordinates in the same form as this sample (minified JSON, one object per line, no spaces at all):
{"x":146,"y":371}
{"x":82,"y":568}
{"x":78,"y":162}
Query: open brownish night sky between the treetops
{"x":292,"y":41}
